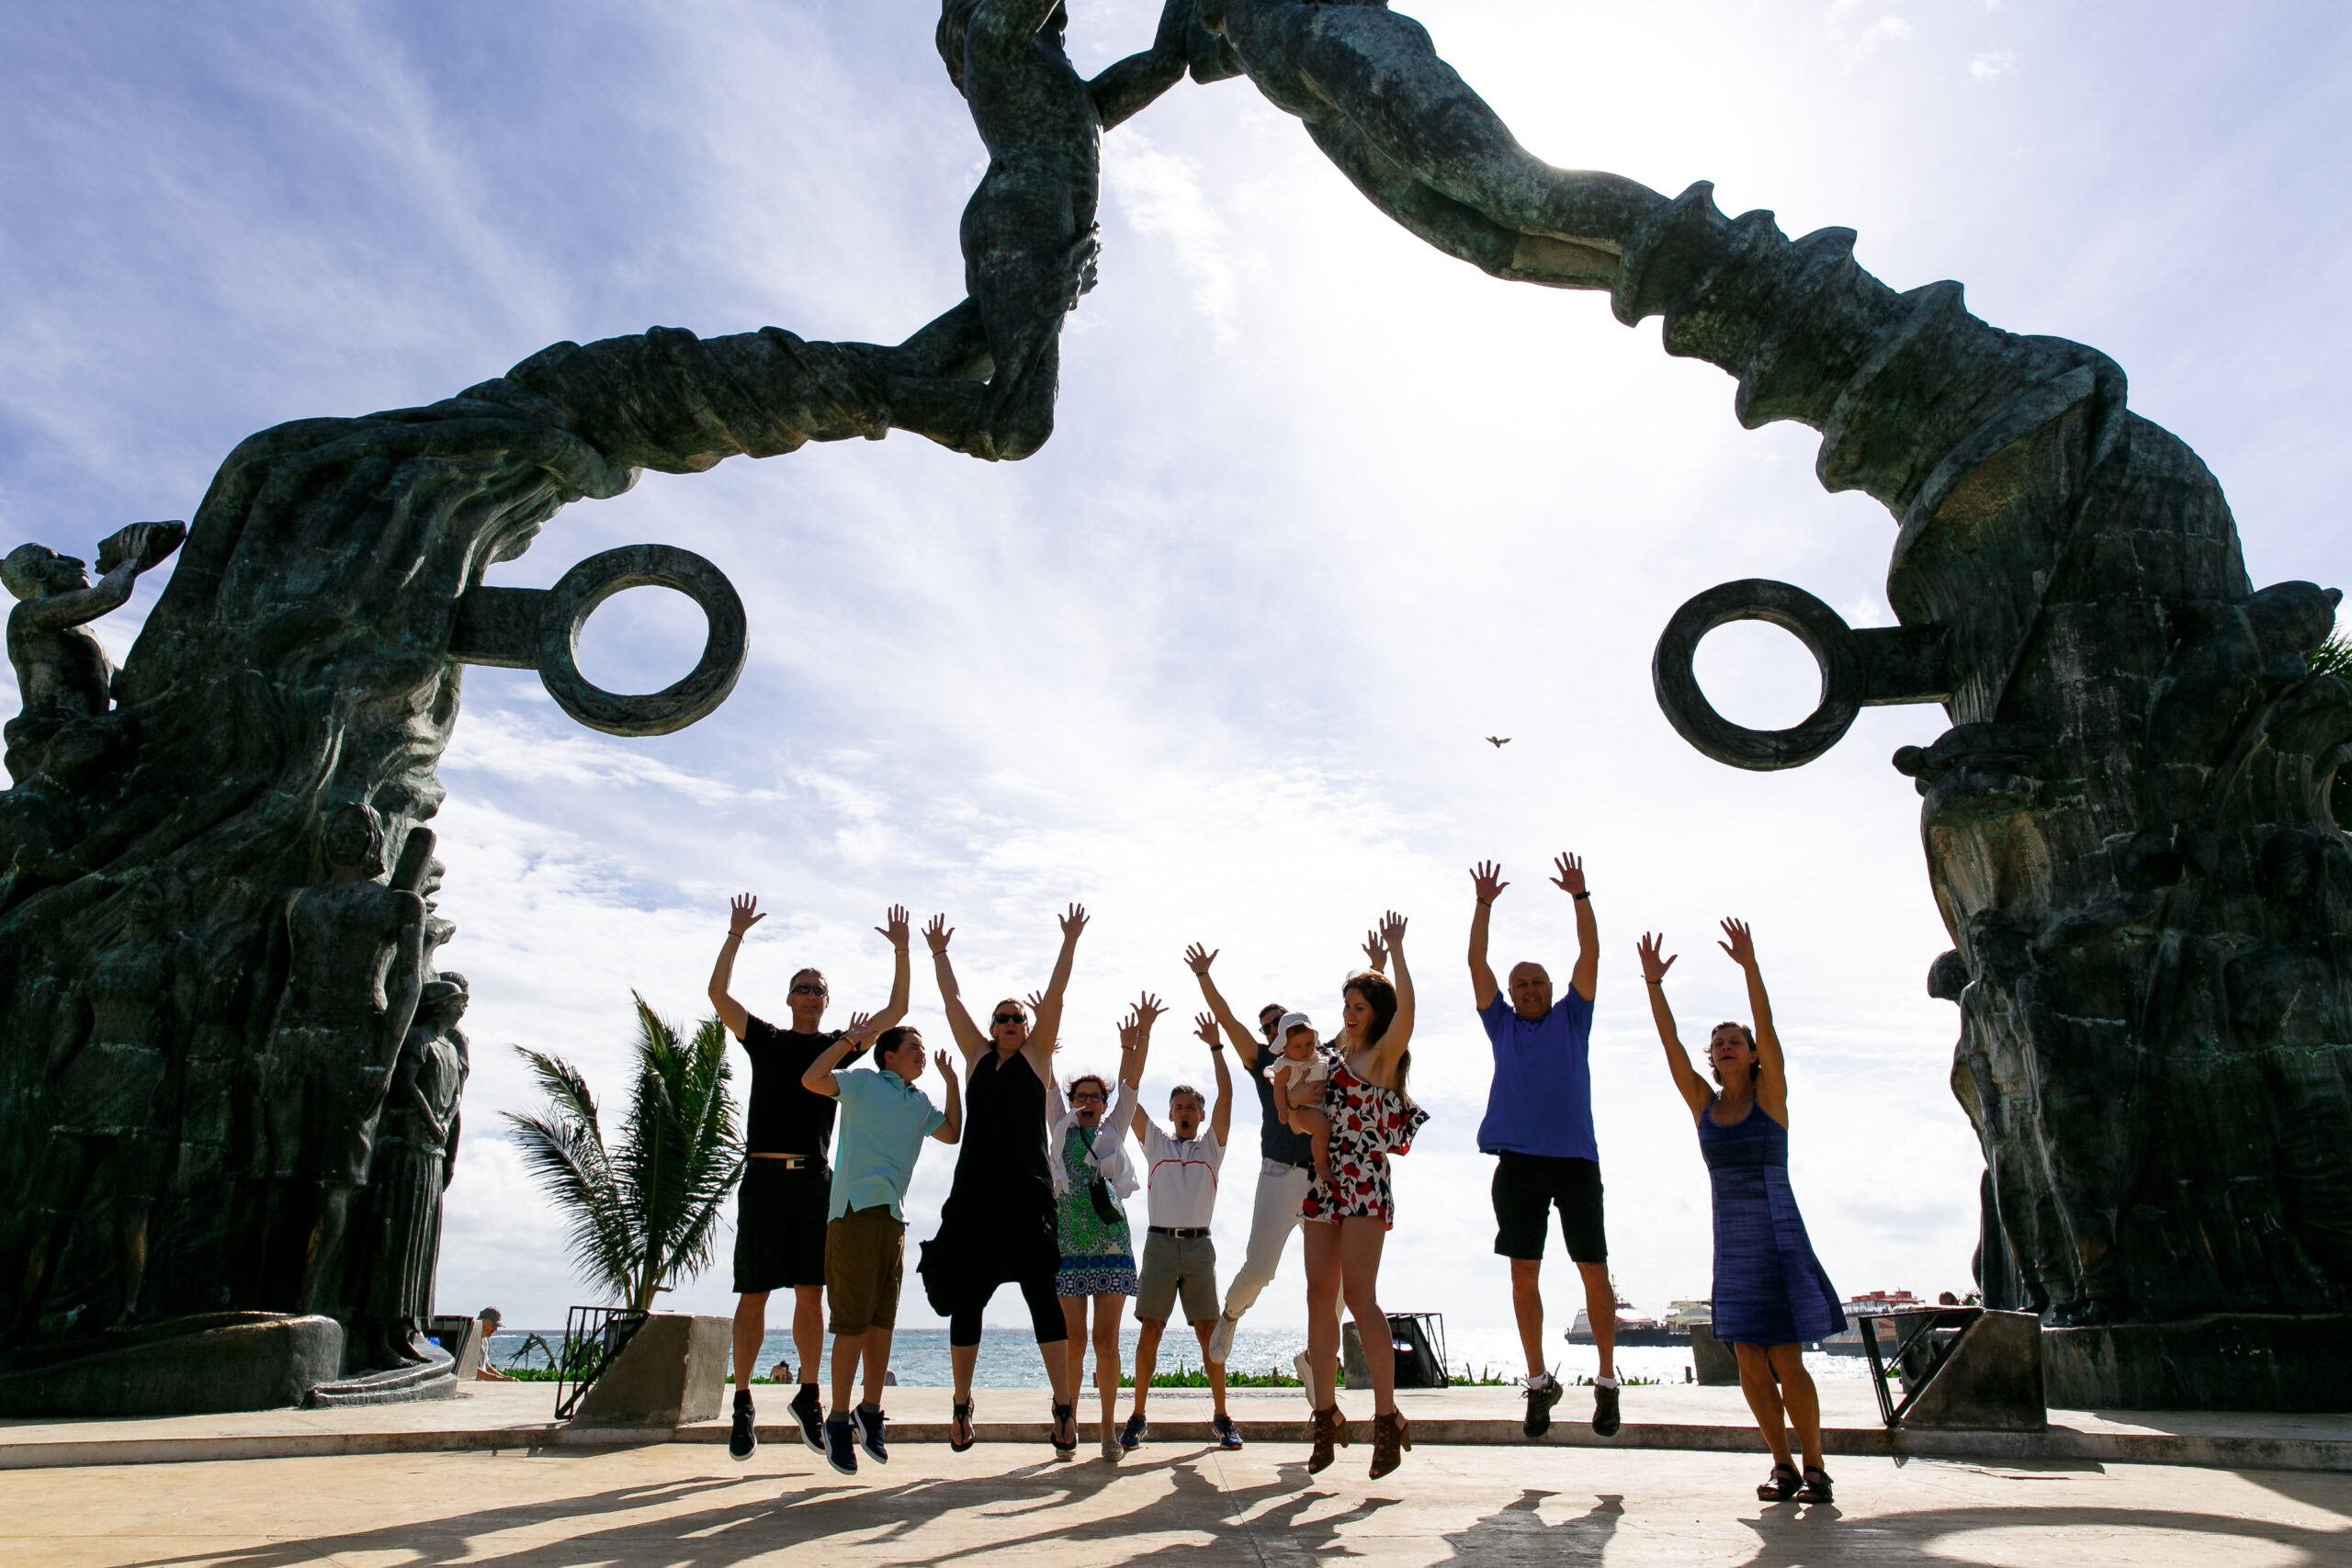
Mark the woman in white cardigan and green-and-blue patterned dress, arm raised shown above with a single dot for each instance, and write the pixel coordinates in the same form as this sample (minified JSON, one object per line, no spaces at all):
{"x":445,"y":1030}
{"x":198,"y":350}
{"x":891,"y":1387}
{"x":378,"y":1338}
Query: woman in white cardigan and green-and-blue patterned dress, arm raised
{"x":1093,"y":1184}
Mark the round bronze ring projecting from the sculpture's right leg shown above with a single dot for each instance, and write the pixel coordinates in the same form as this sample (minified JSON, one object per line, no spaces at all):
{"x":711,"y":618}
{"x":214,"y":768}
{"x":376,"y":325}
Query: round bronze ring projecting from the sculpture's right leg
{"x":1791,"y":608}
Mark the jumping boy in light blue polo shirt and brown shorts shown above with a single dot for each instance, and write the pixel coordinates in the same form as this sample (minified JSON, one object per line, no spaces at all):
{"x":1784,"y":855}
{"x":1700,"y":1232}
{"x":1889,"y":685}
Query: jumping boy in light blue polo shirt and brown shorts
{"x":874,"y":1158}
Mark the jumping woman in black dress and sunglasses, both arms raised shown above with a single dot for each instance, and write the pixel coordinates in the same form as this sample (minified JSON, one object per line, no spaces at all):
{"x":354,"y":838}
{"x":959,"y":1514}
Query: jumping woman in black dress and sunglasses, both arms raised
{"x":998,"y":1224}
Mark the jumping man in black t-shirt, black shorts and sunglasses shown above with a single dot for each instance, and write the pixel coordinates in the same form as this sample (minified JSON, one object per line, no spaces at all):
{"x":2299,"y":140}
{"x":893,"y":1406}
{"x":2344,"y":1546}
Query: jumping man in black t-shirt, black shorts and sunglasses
{"x":787,"y":1177}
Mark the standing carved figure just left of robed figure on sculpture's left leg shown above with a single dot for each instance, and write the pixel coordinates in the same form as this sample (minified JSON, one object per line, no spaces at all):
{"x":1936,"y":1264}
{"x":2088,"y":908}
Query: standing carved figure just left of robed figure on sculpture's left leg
{"x":352,"y":991}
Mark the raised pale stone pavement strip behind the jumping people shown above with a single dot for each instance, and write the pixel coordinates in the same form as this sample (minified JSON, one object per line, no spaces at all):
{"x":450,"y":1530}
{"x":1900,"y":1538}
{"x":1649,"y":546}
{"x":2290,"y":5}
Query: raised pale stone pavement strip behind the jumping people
{"x":493,"y":1416}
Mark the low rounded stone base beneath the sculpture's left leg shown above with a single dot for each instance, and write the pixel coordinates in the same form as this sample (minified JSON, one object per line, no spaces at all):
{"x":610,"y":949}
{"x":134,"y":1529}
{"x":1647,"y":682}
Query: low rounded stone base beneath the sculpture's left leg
{"x":182,"y":1367}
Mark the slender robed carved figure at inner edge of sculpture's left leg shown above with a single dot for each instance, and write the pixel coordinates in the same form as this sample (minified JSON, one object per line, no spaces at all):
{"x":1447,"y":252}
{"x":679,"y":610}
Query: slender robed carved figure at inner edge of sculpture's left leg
{"x":413,"y":1165}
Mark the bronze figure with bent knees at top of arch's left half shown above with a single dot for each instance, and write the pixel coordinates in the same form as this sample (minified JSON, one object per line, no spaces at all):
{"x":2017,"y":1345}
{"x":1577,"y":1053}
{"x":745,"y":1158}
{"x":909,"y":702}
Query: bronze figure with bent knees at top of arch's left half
{"x":1029,"y":232}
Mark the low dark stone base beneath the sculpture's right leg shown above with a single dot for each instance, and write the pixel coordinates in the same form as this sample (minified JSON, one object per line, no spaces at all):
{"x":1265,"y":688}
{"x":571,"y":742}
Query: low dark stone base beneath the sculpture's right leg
{"x":2219,"y":1362}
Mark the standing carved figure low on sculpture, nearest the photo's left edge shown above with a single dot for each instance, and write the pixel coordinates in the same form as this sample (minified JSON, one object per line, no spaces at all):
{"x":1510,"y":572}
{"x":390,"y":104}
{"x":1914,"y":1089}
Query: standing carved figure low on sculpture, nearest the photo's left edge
{"x":107,"y":1099}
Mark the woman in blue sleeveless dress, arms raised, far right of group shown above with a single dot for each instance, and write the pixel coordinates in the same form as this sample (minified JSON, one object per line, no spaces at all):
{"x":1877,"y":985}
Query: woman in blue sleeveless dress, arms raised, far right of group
{"x":1772,"y":1296}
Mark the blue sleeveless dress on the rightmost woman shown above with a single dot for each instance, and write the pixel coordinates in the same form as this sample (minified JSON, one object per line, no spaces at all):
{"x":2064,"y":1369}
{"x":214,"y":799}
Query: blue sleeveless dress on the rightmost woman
{"x":1770,"y":1289}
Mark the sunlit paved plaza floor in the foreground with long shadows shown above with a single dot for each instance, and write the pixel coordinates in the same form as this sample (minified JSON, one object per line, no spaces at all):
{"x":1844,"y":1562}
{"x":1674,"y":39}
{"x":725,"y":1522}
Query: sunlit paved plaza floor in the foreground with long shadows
{"x":1170,"y":1506}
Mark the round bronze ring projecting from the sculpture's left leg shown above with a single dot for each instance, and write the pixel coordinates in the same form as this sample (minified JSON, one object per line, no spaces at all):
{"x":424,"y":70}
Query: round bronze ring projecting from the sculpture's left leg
{"x":606,"y":575}
